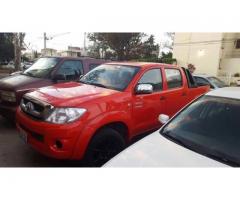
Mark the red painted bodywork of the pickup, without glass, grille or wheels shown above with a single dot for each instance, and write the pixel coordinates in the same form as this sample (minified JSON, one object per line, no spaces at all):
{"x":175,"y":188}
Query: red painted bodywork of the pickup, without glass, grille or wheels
{"x":138,"y":113}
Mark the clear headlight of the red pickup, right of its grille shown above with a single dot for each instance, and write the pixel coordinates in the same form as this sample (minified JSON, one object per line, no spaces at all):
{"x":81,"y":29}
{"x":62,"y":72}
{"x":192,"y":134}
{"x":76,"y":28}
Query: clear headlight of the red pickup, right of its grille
{"x":65,"y":115}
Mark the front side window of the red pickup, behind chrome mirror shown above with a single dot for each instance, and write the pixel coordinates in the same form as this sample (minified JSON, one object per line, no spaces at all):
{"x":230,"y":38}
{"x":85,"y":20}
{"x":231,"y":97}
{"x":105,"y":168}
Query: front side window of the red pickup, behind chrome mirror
{"x":153,"y":77}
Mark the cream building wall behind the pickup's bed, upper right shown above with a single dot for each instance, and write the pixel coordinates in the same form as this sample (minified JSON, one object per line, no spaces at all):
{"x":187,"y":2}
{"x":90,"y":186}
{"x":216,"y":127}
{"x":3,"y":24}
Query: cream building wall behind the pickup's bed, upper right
{"x":201,"y":49}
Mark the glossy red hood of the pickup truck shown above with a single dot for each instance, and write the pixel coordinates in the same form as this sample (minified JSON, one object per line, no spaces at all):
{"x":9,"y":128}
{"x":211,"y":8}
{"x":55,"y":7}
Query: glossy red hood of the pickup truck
{"x":70,"y":94}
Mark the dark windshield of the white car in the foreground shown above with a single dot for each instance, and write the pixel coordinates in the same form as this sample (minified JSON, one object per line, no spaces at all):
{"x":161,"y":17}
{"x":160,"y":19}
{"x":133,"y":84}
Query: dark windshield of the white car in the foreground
{"x":209,"y":126}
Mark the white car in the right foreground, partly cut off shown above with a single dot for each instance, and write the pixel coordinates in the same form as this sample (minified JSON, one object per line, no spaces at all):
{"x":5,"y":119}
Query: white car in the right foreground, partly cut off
{"x":203,"y":134}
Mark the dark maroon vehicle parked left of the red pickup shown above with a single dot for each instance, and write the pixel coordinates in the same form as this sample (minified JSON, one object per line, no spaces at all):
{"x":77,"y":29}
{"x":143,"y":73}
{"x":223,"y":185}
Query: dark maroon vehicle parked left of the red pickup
{"x":44,"y":72}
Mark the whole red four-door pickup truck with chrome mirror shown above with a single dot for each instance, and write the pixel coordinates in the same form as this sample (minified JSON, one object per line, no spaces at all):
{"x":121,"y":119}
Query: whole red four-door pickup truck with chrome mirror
{"x":98,"y":116}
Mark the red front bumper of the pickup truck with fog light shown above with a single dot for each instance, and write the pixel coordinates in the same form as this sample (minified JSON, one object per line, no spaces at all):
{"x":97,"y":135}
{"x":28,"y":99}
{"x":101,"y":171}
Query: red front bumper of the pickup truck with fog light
{"x":53,"y":140}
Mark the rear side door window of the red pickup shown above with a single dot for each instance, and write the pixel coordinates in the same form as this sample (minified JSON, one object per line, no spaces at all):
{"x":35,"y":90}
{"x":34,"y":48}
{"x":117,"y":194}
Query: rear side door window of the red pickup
{"x":174,"y":78}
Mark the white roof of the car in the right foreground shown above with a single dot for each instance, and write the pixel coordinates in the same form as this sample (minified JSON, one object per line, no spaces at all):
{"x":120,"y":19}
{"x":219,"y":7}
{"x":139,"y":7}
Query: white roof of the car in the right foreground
{"x":228,"y":92}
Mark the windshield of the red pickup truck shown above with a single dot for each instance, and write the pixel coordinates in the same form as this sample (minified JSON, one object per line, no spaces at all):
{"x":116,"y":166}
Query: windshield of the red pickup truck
{"x":115,"y":77}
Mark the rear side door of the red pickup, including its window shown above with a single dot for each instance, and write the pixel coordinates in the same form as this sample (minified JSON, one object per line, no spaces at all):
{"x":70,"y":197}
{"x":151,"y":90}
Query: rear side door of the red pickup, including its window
{"x":176,"y":94}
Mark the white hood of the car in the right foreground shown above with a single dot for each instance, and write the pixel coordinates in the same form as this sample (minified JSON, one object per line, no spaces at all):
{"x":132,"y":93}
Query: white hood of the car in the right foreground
{"x":157,"y":151}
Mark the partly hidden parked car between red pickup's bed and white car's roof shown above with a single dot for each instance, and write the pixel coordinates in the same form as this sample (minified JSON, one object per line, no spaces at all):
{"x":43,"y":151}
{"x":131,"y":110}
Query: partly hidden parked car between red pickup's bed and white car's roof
{"x":213,"y":81}
